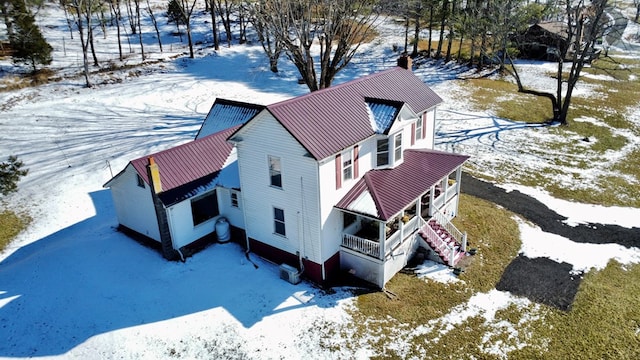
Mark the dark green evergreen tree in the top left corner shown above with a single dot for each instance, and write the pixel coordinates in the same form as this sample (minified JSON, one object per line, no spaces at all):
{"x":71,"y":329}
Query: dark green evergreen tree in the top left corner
{"x":26,"y":39}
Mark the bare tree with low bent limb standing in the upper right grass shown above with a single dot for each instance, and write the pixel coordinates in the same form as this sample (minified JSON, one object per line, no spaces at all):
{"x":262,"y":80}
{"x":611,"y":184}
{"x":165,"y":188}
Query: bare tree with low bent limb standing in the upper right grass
{"x":584,"y":26}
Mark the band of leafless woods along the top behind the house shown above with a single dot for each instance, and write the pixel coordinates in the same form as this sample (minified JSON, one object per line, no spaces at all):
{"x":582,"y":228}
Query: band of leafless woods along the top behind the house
{"x":479,"y":33}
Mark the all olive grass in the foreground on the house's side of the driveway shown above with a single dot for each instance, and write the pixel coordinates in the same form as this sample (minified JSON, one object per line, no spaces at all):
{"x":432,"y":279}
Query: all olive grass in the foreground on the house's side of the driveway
{"x":603,"y":323}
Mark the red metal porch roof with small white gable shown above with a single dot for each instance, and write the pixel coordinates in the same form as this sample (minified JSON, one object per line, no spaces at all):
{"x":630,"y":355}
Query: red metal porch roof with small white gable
{"x":382,"y":193}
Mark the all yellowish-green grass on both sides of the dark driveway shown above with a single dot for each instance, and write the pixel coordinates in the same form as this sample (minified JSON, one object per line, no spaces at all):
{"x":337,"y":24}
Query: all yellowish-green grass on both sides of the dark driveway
{"x":604,"y":321}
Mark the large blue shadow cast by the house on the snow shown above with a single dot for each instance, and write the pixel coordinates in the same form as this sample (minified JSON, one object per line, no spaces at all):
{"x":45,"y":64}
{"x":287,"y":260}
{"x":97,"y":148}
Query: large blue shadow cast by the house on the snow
{"x":89,"y":279}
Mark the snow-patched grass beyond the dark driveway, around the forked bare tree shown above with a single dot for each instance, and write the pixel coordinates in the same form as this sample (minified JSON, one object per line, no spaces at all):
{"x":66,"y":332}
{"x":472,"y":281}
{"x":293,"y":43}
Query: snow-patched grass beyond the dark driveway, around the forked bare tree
{"x":564,"y":153}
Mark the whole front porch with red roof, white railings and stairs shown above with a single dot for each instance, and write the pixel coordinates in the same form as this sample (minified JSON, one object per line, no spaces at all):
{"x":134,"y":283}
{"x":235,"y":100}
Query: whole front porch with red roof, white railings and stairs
{"x":388,"y":214}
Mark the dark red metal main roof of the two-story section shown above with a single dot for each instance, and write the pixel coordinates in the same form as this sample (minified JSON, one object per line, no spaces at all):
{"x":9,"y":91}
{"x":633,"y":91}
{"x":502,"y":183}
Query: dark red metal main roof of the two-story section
{"x":330,"y":120}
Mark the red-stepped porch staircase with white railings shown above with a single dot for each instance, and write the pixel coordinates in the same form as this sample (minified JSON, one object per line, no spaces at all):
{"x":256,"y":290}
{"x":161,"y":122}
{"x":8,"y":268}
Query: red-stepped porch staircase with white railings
{"x":442,"y":242}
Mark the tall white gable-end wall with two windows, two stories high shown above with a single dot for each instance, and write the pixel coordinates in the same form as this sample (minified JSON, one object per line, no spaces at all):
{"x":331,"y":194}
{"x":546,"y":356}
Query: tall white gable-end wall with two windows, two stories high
{"x":260,"y":138}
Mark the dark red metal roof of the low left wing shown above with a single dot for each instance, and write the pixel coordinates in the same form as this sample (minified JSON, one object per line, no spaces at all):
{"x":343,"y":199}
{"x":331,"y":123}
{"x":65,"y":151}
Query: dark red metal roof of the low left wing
{"x":188,"y":162}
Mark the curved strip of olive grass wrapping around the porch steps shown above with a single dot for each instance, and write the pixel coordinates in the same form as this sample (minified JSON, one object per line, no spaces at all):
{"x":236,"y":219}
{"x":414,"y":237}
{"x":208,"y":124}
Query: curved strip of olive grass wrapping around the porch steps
{"x":420,"y":301}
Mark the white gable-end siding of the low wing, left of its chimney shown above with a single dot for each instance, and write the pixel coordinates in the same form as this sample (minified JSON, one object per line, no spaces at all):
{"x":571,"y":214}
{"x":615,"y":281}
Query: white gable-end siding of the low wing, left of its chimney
{"x":134,"y":205}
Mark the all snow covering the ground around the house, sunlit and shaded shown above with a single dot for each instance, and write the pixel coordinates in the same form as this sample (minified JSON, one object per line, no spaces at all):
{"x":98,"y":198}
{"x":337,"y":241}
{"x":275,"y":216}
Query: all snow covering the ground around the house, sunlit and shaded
{"x":73,"y":287}
